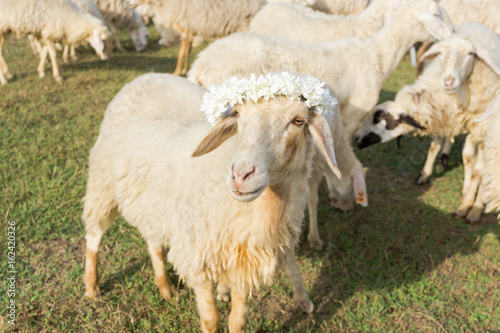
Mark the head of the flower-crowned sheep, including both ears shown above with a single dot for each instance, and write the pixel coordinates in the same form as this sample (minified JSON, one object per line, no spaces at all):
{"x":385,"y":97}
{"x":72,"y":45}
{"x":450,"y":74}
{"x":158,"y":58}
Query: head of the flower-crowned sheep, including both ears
{"x":274,"y":138}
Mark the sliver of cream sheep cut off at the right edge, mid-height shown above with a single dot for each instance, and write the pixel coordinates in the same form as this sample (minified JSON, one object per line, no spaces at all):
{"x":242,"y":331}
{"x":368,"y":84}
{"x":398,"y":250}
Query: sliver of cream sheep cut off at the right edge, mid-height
{"x":491,"y":177}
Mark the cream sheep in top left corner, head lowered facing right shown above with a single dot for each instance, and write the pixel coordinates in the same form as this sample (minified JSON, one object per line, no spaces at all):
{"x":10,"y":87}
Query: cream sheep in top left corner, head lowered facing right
{"x":48,"y":20}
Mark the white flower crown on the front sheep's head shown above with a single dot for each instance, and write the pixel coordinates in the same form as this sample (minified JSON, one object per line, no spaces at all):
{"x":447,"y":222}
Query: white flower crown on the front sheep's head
{"x":234,"y":91}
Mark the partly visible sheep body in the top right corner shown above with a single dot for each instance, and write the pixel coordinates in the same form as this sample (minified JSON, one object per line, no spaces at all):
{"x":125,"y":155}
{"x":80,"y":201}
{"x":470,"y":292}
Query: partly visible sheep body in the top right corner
{"x":482,"y":11}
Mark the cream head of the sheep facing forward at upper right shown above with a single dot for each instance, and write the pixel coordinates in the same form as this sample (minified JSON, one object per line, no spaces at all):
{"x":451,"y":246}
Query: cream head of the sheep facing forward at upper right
{"x":457,"y":54}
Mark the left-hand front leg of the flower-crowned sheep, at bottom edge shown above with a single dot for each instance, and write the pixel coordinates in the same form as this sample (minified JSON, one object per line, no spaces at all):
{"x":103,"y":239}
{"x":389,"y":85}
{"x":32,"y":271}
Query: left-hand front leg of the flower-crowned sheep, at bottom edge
{"x":209,"y":315}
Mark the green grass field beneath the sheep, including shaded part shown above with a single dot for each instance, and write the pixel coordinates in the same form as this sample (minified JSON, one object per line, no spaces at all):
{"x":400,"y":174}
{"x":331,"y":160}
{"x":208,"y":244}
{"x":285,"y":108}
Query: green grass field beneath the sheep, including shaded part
{"x":403,"y":264}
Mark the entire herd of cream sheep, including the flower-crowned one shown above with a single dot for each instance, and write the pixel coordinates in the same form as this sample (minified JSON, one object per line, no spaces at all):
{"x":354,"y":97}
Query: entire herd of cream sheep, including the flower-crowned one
{"x":219,"y":166}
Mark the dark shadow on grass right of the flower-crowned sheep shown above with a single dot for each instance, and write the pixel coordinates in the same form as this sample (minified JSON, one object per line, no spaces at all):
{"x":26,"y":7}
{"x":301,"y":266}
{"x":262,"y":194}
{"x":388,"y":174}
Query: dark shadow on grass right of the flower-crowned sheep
{"x":392,"y":243}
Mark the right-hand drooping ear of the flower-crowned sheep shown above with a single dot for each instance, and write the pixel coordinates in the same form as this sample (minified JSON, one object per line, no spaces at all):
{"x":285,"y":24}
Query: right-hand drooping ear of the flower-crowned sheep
{"x":322,"y":137}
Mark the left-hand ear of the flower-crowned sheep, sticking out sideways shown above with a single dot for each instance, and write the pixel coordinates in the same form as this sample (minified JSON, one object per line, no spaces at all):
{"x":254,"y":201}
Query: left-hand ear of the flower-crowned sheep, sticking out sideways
{"x":222,"y":131}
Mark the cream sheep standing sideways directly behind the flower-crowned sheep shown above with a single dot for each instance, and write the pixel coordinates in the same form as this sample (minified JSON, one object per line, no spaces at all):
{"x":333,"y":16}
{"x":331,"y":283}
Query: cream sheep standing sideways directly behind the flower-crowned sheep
{"x":356,"y":68}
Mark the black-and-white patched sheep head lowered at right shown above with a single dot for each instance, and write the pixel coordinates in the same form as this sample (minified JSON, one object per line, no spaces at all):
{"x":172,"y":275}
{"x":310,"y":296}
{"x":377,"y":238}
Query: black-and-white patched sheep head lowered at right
{"x":387,"y":121}
